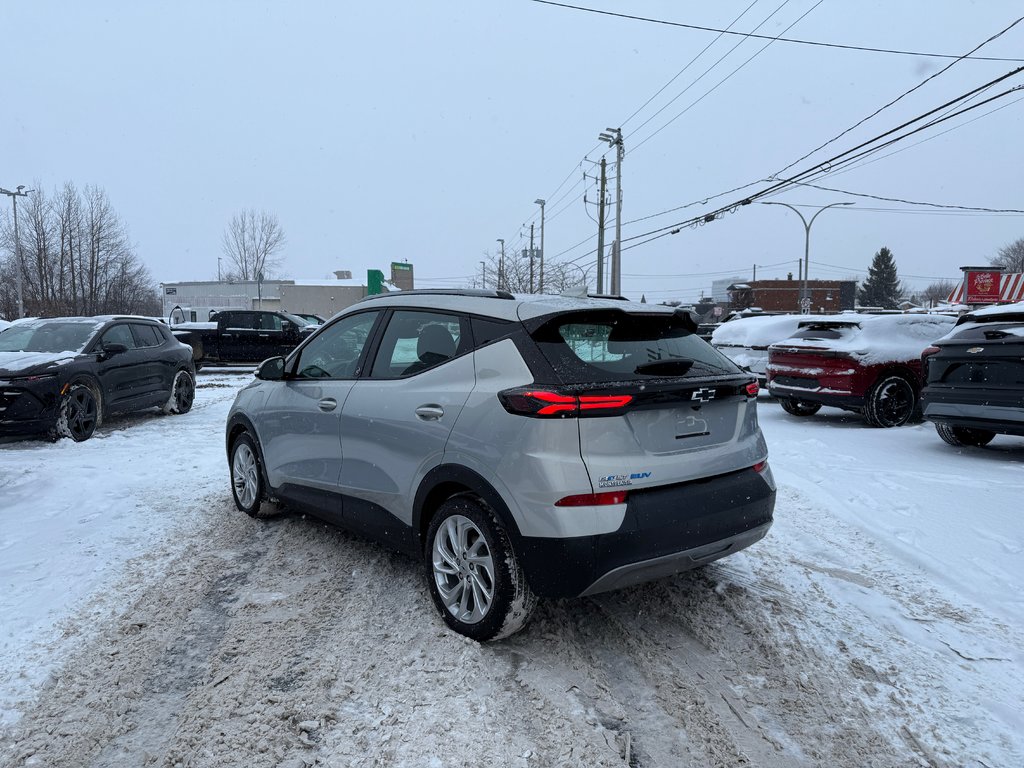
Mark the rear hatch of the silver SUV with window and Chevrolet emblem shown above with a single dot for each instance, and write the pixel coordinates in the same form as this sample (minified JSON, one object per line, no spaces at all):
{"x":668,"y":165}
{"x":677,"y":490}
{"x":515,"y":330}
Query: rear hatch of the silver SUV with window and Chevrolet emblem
{"x":659,"y":405}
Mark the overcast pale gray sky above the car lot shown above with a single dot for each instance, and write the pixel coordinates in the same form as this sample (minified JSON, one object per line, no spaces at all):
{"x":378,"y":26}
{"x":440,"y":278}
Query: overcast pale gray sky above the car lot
{"x":383,"y":132}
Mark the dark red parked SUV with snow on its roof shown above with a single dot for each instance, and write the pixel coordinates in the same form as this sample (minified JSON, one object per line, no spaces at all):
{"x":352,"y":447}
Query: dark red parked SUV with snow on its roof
{"x":870,"y":364}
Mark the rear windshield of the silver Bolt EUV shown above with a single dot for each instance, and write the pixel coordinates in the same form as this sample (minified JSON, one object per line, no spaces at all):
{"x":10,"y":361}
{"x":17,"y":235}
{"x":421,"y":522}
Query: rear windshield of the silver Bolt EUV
{"x":616,"y":347}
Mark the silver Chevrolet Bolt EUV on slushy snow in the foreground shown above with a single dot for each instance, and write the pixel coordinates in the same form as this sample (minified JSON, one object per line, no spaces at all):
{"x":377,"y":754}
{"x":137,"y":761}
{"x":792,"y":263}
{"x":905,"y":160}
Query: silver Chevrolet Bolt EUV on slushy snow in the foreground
{"x":518,"y":446}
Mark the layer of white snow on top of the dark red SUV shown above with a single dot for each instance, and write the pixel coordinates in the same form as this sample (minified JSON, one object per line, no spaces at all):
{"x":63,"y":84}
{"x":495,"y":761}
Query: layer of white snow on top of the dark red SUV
{"x":879,"y":338}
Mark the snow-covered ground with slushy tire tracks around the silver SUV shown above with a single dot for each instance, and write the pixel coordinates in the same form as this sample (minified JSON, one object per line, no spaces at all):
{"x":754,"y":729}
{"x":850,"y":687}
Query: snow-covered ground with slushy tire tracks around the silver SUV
{"x":145,"y":622}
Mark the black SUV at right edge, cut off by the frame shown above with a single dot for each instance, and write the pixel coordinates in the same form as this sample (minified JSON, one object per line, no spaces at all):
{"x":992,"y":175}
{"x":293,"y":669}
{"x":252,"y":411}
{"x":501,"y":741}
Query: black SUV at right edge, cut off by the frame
{"x":975,"y":377}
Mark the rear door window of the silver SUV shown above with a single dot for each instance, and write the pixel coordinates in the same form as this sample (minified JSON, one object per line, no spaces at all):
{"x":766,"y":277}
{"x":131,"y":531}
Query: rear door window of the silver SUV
{"x":417,"y":342}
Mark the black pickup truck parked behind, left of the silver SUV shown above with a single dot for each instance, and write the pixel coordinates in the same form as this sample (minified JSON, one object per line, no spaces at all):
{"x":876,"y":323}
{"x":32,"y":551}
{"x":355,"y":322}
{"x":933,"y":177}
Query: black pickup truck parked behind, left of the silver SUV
{"x":243,"y":336}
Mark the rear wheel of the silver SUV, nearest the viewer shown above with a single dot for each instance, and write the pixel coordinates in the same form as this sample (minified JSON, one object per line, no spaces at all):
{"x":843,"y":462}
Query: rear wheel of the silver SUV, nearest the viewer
{"x":460,"y":578}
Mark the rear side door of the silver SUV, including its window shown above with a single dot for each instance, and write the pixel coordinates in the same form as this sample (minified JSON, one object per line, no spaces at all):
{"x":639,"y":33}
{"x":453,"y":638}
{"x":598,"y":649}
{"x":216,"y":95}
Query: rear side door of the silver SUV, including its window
{"x":398,"y":420}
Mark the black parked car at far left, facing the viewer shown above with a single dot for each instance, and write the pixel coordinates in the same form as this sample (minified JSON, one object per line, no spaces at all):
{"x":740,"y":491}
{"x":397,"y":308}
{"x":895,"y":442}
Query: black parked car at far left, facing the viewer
{"x":61,"y":376}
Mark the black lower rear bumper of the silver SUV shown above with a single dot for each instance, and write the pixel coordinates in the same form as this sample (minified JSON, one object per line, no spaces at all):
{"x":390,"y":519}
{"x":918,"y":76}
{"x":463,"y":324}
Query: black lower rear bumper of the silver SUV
{"x":666,"y":531}
